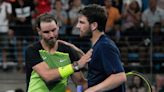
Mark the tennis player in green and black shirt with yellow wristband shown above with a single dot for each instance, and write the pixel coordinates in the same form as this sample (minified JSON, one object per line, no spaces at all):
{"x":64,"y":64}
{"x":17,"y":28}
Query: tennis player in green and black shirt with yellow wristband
{"x":50,"y":62}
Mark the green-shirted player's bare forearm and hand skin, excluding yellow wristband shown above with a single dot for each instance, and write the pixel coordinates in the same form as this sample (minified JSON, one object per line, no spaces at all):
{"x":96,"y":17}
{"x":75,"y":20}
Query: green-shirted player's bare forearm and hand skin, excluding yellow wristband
{"x":53,"y":74}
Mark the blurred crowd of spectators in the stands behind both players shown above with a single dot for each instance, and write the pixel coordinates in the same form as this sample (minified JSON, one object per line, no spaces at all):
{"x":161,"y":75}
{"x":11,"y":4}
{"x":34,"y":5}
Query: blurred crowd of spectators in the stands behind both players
{"x":135,"y":26}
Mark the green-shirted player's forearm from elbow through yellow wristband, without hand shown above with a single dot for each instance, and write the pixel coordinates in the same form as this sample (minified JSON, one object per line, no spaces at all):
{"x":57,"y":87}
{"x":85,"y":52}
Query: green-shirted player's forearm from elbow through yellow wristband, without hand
{"x":55,"y":74}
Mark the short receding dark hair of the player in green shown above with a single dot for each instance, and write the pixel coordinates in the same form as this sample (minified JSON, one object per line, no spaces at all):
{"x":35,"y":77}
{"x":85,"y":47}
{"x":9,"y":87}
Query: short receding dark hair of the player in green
{"x":46,"y":17}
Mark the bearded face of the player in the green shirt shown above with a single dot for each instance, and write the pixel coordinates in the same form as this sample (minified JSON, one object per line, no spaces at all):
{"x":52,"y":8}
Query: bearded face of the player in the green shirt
{"x":49,"y":32}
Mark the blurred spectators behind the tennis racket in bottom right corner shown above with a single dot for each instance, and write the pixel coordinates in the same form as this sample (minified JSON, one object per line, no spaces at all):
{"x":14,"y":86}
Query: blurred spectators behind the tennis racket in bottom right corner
{"x":136,"y":84}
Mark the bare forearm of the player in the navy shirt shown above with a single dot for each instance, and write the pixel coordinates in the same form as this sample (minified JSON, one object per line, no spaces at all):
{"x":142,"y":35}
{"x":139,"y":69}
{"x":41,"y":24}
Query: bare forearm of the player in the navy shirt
{"x":109,"y":83}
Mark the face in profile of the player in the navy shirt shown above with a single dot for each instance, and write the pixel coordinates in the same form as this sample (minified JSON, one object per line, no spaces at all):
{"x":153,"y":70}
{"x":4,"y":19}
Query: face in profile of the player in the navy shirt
{"x":84,"y":27}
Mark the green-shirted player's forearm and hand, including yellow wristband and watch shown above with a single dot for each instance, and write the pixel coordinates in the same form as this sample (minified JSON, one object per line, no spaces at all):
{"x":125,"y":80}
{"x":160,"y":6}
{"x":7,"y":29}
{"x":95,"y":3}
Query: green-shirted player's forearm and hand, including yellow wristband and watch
{"x":49,"y":74}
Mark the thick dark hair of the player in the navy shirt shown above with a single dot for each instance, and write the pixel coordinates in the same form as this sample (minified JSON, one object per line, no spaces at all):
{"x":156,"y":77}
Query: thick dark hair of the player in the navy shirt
{"x":95,"y":13}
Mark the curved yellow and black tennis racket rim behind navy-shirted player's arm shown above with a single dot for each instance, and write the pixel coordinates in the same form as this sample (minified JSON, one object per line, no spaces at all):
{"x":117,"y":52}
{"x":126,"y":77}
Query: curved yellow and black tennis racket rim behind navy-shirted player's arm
{"x":146,"y":81}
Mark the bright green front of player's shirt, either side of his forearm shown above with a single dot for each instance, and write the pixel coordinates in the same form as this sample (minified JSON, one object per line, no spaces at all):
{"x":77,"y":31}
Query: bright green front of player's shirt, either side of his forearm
{"x":58,"y":59}
